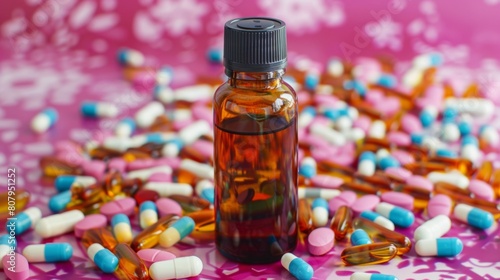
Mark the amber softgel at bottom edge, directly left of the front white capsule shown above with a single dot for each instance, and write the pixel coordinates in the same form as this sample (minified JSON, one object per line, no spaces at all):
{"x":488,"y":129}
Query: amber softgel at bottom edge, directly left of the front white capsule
{"x":130,"y":265}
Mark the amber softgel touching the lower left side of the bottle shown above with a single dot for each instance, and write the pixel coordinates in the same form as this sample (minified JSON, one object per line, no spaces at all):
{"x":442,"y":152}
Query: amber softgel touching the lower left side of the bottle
{"x":204,"y":230}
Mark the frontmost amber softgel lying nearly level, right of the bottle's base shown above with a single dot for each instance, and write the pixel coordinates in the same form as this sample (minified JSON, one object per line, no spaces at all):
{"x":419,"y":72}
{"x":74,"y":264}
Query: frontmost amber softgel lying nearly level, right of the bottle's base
{"x":374,"y":253}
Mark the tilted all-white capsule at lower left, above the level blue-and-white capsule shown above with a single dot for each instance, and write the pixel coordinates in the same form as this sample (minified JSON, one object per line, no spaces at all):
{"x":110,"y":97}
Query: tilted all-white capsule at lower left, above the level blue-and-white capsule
{"x":58,"y":224}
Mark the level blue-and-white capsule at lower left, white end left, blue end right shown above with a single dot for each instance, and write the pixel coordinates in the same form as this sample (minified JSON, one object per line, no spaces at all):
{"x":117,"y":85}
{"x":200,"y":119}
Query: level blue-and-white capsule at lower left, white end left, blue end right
{"x":48,"y":252}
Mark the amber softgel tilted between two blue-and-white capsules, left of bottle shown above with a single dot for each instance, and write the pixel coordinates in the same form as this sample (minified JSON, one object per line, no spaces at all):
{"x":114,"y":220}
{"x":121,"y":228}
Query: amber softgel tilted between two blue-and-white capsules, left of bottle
{"x":149,"y":237}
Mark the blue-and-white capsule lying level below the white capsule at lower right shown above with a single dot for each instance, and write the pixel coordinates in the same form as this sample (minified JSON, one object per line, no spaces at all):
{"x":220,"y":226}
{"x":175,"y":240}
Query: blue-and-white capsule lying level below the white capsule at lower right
{"x":440,"y":247}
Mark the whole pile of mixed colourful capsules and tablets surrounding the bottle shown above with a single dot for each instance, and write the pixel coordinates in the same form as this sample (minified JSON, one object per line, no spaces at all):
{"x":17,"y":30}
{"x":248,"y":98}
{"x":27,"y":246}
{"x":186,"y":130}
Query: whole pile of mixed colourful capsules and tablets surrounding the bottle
{"x":374,"y":149}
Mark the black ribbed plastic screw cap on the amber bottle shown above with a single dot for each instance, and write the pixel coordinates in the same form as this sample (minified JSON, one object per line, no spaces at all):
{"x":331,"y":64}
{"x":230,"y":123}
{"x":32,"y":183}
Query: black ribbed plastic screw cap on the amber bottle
{"x":254,"y":45}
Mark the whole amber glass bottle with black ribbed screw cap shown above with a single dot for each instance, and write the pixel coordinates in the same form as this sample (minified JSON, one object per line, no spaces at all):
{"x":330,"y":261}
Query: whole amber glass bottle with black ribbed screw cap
{"x":255,"y":144}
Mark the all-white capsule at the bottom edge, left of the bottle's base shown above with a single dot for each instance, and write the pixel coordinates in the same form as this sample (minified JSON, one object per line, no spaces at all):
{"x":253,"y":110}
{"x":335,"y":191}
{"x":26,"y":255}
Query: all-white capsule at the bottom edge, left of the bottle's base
{"x":177,"y":268}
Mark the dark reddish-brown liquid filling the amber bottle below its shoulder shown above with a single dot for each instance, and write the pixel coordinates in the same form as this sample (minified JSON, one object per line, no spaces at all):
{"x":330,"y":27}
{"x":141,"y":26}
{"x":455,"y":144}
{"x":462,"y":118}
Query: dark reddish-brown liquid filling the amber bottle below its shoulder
{"x":255,"y":179}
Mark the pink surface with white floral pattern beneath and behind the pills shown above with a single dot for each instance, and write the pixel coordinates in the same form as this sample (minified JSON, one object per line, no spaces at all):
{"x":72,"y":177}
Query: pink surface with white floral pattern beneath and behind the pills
{"x":60,"y":52}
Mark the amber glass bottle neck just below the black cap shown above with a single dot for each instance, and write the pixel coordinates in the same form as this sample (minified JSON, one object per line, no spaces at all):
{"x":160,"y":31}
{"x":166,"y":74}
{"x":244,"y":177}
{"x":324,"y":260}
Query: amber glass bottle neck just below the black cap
{"x":255,"y":80}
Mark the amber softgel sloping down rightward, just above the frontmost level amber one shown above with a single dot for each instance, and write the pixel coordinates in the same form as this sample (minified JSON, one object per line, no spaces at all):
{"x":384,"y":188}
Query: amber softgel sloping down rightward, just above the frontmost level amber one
{"x":379,"y":233}
